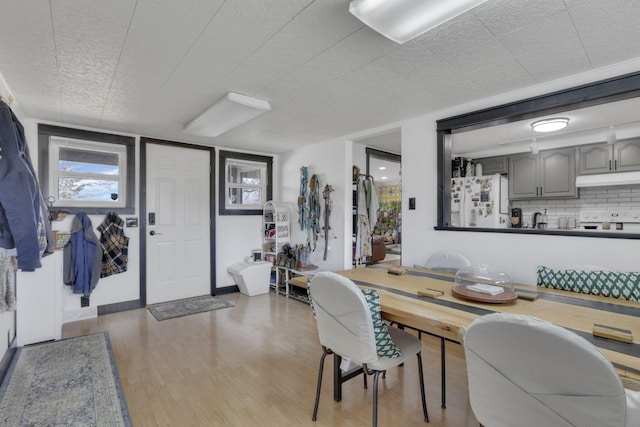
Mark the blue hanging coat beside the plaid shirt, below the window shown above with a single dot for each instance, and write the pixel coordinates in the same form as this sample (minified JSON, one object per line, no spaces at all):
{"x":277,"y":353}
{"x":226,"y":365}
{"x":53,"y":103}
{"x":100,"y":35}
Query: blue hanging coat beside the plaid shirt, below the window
{"x":82,"y":256}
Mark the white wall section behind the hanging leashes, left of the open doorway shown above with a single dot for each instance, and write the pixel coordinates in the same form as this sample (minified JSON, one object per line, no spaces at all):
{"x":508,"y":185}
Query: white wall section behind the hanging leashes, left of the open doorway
{"x":332,"y":161}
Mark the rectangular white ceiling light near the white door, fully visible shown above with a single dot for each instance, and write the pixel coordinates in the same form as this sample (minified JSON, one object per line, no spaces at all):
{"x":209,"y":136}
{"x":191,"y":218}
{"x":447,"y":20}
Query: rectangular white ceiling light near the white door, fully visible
{"x":228,"y":113}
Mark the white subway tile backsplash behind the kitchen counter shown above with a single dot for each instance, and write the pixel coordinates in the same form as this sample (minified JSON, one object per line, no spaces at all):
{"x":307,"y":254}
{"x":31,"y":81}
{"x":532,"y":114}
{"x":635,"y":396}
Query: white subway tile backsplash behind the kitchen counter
{"x":601,"y":198}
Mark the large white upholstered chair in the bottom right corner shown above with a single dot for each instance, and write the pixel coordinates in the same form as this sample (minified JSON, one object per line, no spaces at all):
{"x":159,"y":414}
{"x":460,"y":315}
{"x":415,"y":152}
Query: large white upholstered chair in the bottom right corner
{"x":524,"y":372}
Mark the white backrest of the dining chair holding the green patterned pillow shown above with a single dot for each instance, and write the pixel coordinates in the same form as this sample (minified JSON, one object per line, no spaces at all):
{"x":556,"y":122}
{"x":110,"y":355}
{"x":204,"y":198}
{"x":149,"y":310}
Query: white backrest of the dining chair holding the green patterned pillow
{"x":343,"y":317}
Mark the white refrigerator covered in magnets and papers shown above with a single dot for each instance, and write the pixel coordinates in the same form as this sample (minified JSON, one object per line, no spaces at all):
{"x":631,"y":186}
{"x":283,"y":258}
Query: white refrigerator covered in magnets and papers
{"x":480,"y":201}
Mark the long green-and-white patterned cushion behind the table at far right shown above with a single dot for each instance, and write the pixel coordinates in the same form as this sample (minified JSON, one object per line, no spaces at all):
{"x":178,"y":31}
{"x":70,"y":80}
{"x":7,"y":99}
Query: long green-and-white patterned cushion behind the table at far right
{"x":597,"y":282}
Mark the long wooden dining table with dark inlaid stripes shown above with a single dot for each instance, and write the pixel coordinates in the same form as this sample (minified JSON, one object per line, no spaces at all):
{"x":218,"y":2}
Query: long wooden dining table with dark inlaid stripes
{"x":447,"y":315}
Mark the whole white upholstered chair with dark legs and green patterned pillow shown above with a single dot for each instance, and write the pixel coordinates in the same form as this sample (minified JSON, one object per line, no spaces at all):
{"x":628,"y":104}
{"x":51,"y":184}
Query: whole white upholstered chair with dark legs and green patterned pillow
{"x":346,"y":328}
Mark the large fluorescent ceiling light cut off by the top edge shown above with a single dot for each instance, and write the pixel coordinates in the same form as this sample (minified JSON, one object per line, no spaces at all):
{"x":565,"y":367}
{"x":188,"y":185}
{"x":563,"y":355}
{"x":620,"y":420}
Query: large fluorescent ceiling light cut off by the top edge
{"x":403,"y":20}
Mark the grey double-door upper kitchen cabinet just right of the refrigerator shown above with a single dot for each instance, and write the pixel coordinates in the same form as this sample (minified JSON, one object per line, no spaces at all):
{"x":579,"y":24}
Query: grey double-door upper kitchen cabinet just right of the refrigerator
{"x":548,"y":174}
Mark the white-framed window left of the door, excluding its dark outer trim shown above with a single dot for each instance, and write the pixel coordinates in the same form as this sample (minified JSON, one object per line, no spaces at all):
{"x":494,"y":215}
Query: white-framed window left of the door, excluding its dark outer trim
{"x":87,"y":173}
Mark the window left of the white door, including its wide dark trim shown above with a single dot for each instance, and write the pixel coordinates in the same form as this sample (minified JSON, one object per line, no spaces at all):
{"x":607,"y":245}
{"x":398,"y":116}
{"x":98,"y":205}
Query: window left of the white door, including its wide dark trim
{"x":86,"y":171}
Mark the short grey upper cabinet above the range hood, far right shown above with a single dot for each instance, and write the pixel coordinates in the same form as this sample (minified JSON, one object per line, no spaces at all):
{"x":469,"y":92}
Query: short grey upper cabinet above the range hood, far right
{"x":623,"y":156}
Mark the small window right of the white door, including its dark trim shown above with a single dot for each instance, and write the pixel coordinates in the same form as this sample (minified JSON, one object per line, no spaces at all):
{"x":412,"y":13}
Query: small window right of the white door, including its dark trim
{"x":245,"y":183}
